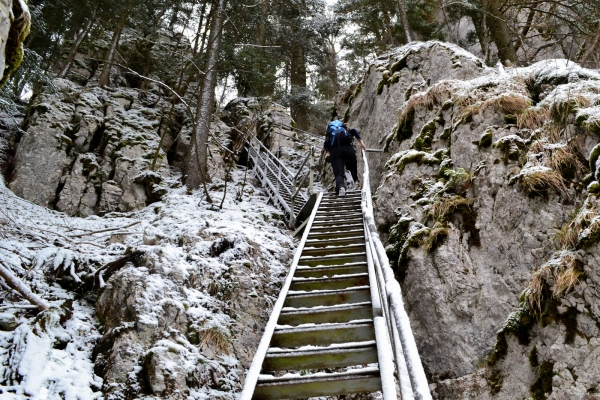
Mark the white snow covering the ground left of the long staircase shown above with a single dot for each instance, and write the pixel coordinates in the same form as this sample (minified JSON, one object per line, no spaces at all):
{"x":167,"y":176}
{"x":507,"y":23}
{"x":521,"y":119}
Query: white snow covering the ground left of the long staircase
{"x":49,"y":355}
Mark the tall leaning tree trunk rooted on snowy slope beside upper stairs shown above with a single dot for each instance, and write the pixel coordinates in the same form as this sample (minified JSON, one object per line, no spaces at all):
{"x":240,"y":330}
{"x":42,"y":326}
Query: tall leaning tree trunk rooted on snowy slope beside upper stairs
{"x":195,"y":169}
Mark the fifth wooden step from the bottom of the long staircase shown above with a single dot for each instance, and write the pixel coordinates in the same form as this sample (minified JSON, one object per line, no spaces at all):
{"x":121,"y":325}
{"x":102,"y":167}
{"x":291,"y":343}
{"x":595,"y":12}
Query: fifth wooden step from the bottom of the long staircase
{"x":328,"y":298}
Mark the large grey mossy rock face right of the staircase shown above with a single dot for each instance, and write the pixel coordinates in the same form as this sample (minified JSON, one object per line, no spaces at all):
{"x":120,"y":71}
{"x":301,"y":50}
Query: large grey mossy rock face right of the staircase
{"x":487,"y":195}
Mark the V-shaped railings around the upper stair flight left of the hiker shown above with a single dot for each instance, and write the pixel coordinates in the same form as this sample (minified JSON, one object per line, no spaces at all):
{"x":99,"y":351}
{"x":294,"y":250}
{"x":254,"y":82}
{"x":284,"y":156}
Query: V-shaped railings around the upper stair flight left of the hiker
{"x":287,"y":190}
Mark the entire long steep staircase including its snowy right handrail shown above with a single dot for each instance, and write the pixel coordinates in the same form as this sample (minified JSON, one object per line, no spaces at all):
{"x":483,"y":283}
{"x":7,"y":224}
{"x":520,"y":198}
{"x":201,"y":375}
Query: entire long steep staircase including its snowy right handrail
{"x":339,"y":325}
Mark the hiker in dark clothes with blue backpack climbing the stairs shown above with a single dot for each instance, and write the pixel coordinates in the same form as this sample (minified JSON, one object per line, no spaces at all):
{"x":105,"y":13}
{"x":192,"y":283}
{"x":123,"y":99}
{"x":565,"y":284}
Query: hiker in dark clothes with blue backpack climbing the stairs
{"x":338,"y":144}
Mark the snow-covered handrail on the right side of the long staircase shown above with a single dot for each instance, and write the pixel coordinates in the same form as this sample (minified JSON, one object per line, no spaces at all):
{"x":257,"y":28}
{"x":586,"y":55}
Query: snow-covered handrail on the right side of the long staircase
{"x":407,"y":360}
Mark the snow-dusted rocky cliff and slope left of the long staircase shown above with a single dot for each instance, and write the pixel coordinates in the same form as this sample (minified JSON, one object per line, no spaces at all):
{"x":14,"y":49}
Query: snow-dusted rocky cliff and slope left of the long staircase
{"x":154,"y":291}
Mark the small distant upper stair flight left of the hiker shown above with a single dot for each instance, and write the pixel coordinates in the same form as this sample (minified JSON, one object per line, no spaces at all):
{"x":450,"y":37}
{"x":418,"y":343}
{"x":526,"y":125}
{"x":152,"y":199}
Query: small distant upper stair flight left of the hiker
{"x":276,"y":179}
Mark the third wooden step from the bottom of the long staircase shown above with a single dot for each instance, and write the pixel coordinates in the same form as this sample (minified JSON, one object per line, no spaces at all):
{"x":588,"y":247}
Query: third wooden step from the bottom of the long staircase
{"x":323,"y":335}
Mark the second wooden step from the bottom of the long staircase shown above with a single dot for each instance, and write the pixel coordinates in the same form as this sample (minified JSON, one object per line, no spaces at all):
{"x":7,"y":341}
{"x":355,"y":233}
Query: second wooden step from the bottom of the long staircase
{"x":321,"y":358}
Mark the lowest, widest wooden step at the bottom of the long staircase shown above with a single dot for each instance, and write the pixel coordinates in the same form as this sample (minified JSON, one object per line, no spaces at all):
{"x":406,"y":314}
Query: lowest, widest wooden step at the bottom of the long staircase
{"x":310,"y":386}
